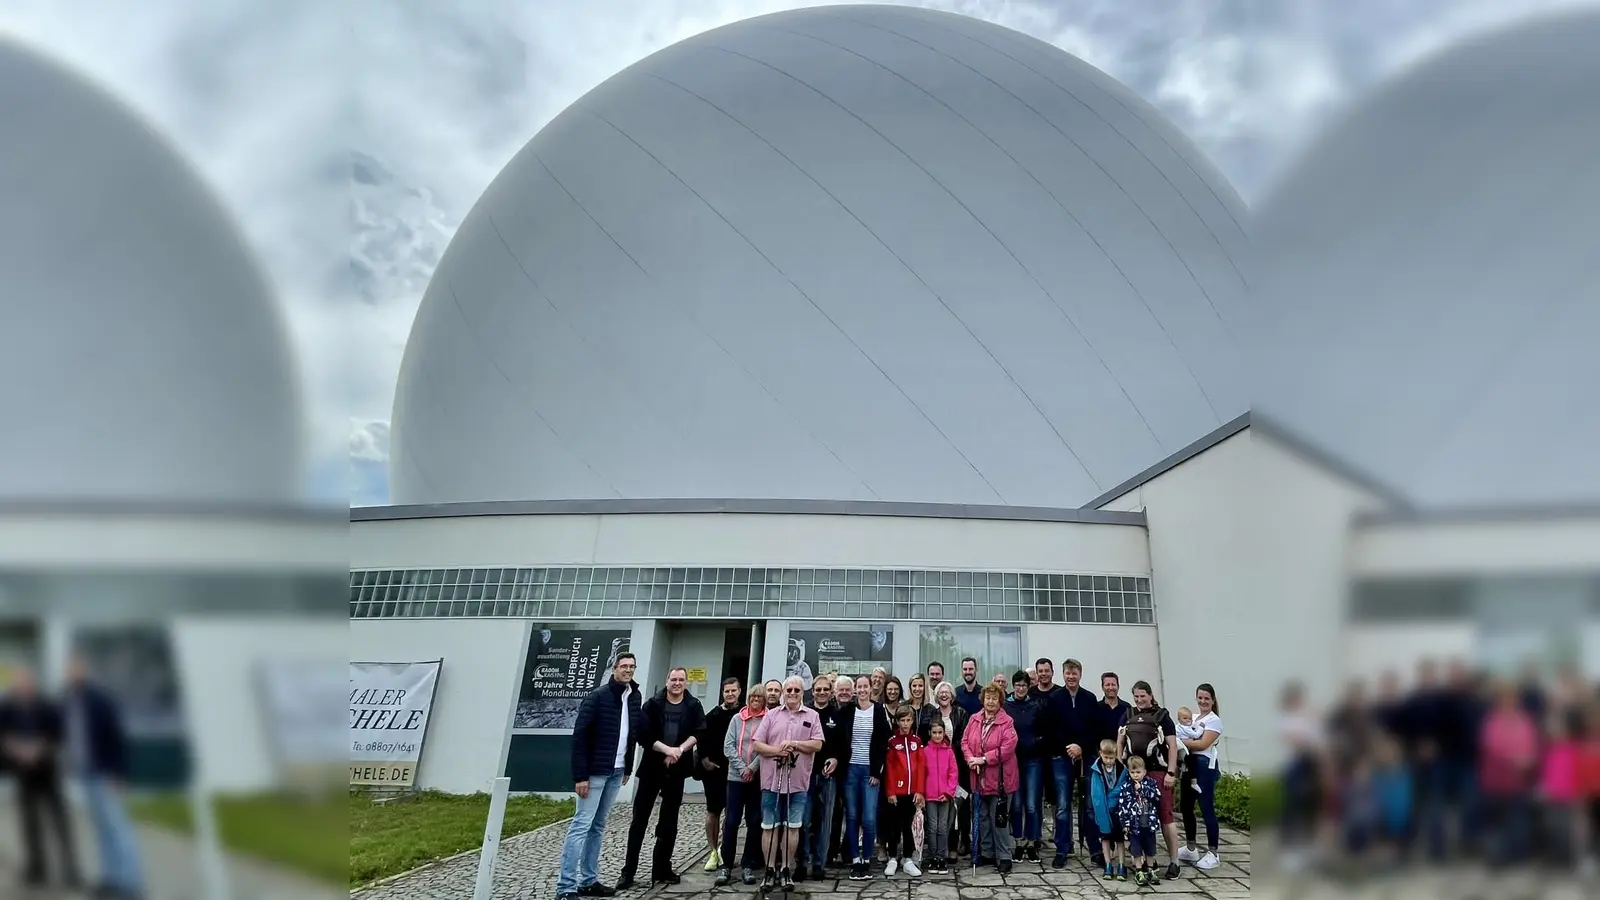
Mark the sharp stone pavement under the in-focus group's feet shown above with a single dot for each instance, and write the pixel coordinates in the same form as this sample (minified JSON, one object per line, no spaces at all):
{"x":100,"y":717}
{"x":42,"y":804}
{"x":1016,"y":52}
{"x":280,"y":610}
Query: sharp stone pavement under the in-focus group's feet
{"x":529,"y":864}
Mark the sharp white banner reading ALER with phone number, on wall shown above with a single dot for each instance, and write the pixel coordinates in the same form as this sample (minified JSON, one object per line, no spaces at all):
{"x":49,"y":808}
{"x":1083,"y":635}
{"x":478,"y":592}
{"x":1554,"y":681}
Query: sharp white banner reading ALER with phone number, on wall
{"x":390,"y":710}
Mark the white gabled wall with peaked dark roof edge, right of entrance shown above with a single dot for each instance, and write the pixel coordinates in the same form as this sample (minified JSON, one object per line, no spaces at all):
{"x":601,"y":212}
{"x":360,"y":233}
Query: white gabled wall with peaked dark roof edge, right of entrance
{"x":1249,"y":547}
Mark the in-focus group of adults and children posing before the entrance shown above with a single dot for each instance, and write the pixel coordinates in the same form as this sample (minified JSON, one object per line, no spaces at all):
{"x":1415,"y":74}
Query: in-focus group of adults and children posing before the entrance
{"x":868,"y":769}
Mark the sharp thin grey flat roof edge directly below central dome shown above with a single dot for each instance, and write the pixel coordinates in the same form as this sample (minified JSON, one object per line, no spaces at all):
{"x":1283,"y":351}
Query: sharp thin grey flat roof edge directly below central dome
{"x":881,"y":508}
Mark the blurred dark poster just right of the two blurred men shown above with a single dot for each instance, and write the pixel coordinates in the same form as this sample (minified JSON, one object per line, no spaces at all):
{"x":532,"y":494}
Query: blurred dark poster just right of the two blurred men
{"x":137,"y":667}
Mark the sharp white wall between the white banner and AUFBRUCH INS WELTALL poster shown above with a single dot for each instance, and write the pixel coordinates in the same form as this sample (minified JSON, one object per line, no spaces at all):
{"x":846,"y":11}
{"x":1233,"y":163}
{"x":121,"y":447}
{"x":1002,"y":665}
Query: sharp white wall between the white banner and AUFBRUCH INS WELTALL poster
{"x":470,"y":733}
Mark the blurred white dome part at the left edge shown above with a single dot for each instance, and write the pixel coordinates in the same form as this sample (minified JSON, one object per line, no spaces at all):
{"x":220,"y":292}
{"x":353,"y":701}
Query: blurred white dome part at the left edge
{"x":142,"y":353}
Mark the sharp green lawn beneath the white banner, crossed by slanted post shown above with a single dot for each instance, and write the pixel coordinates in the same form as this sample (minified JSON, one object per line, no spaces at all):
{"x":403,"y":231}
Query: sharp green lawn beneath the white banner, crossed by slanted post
{"x":402,"y":835}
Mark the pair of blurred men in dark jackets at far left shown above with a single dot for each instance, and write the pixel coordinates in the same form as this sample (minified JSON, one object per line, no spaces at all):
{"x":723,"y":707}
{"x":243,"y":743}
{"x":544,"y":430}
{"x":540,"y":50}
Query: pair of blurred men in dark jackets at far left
{"x":79,"y":739}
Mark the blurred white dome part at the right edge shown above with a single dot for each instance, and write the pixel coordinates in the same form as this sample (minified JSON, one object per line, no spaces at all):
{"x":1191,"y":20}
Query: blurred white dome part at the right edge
{"x":1426,"y":300}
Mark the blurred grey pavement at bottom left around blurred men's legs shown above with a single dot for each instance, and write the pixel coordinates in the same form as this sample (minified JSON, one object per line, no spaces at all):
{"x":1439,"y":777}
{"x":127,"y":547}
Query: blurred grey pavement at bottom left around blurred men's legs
{"x":170,"y":866}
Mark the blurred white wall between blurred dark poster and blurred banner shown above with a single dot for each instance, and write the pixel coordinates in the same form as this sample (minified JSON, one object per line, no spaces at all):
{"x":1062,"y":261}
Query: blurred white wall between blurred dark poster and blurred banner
{"x":218,"y":662}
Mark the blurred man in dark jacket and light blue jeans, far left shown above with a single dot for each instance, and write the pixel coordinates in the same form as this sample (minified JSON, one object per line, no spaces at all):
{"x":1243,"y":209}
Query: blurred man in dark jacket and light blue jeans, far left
{"x":97,"y":750}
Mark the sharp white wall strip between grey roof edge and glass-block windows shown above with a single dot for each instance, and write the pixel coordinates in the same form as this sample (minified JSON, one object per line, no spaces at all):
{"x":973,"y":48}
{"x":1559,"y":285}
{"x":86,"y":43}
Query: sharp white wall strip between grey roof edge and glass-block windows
{"x":719,"y":539}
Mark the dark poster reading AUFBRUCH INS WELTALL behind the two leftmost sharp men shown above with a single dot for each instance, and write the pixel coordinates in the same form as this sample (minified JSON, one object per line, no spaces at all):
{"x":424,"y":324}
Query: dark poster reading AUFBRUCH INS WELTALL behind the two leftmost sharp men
{"x":564,"y":667}
